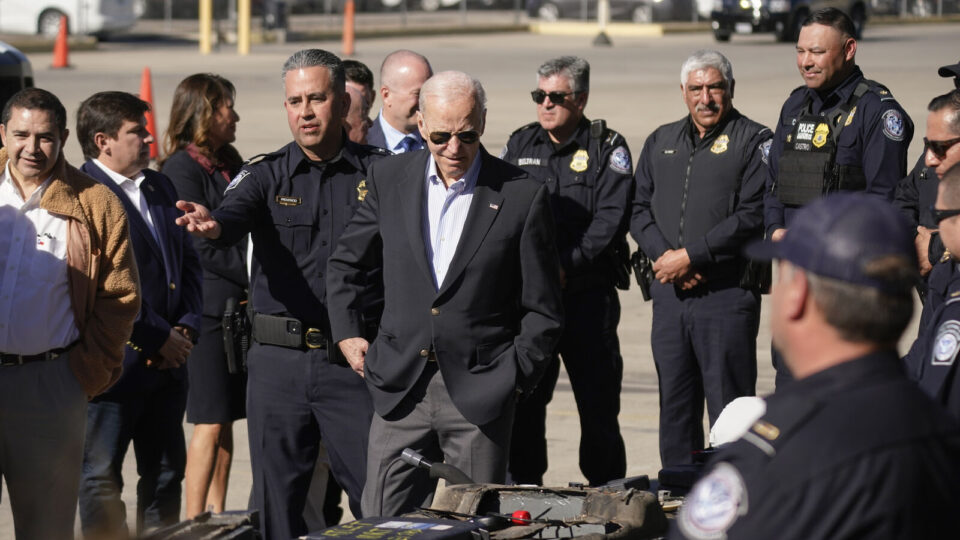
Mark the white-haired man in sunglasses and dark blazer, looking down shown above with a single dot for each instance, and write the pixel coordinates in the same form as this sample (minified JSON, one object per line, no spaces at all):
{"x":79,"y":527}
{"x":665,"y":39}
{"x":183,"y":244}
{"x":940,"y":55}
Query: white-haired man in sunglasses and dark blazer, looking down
{"x":472,"y":308}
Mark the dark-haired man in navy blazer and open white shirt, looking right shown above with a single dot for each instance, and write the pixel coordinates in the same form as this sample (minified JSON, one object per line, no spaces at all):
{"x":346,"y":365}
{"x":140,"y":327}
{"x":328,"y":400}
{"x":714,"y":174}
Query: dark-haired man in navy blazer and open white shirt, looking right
{"x":146,"y":405}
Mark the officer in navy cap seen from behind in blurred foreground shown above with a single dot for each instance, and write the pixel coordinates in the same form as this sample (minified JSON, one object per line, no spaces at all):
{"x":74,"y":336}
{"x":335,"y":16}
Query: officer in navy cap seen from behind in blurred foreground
{"x":851,"y":448}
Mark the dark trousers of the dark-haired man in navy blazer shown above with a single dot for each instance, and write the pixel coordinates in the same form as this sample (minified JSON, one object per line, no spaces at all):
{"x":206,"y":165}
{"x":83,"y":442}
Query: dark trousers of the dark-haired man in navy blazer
{"x":153,"y":420}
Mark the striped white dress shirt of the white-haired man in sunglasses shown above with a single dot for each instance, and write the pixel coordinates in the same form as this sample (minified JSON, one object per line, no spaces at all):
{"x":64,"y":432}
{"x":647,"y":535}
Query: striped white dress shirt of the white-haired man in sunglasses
{"x":445,"y":213}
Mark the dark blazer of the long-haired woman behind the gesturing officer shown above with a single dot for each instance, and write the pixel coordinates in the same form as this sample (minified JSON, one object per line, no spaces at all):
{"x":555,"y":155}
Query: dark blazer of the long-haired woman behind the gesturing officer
{"x":224,"y":270}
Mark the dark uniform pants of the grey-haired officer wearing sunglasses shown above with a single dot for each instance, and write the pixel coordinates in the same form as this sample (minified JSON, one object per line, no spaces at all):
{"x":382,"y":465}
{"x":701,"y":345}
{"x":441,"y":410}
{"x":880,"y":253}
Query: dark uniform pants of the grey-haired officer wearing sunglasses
{"x":591,"y":354}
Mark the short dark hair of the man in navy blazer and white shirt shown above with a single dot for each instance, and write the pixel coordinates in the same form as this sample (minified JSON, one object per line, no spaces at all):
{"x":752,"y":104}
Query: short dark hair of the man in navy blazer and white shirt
{"x":105,"y":112}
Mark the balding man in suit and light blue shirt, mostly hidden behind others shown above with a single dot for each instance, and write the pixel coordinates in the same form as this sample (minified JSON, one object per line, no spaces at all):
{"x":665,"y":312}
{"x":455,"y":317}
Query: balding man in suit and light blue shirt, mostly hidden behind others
{"x":402,"y":74}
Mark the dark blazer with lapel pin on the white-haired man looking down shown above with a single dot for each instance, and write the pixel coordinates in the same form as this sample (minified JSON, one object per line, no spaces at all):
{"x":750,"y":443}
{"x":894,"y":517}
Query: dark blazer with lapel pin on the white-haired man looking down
{"x":497,"y":317}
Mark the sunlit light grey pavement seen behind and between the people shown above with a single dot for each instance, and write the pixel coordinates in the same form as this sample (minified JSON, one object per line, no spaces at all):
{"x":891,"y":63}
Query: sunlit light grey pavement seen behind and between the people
{"x":635,"y":87}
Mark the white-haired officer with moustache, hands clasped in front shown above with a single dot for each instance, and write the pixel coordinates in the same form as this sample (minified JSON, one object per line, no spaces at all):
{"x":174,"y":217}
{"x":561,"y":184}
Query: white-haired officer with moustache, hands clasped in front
{"x":698,"y":201}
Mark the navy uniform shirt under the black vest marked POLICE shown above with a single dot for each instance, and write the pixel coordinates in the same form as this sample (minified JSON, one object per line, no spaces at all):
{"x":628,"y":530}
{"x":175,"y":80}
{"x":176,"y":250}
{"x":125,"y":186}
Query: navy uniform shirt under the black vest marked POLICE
{"x":876,"y":138}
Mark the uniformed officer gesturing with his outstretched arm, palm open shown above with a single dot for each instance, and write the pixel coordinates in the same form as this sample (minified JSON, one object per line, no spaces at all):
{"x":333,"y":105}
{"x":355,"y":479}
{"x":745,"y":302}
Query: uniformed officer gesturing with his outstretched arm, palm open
{"x":296,"y":202}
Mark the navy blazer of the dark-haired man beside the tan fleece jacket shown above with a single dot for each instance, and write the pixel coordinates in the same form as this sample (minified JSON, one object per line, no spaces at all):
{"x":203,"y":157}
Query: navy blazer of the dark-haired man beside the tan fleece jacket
{"x":170,"y":277}
